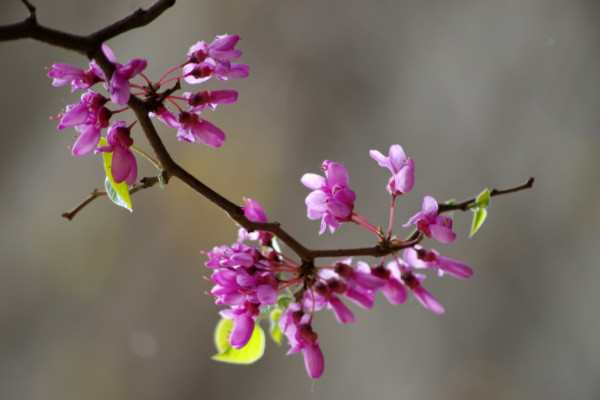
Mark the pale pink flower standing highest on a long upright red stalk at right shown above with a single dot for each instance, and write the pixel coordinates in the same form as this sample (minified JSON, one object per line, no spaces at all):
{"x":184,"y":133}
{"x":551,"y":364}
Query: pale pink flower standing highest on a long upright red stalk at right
{"x":402,"y":169}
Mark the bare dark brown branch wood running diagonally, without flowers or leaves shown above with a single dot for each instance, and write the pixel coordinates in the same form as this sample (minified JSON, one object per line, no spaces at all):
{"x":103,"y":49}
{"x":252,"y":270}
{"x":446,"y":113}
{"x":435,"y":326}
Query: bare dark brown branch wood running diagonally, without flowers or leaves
{"x":91,"y":46}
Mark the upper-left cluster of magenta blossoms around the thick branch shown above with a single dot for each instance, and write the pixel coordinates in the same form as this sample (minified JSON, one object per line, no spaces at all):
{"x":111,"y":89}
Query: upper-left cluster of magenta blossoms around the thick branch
{"x":91,"y":115}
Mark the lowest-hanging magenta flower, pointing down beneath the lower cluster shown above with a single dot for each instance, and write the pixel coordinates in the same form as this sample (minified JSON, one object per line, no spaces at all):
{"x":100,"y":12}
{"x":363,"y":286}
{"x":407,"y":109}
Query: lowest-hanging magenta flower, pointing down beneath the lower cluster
{"x":296,"y":326}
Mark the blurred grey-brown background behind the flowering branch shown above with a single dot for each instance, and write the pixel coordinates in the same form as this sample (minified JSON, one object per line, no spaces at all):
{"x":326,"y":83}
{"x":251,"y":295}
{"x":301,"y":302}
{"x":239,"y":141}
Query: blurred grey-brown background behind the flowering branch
{"x":481,"y":93}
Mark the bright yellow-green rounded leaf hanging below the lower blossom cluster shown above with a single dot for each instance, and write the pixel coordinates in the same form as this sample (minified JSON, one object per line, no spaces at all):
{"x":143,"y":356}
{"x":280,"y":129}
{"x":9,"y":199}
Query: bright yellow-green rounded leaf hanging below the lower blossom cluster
{"x":248,"y":354}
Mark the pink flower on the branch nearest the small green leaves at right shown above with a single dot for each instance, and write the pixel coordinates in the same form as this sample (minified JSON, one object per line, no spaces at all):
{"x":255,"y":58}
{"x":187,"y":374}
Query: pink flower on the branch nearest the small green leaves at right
{"x":432,"y":225}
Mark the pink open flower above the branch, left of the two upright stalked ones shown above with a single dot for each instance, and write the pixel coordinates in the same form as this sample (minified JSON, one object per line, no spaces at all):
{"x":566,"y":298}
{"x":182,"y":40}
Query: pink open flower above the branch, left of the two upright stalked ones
{"x":331,"y":198}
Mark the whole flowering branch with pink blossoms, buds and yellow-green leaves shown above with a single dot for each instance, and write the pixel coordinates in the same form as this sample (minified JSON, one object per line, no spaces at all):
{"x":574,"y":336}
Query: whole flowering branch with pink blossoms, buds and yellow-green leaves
{"x":252,"y":277}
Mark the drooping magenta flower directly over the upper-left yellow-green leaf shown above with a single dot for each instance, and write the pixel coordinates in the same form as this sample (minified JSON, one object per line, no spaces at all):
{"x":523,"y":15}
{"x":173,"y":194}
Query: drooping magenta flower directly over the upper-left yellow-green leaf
{"x":123,"y":167}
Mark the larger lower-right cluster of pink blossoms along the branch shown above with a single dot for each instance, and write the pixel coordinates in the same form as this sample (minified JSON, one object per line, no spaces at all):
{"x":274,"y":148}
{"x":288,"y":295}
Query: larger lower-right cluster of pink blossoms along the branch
{"x":253,"y":281}
